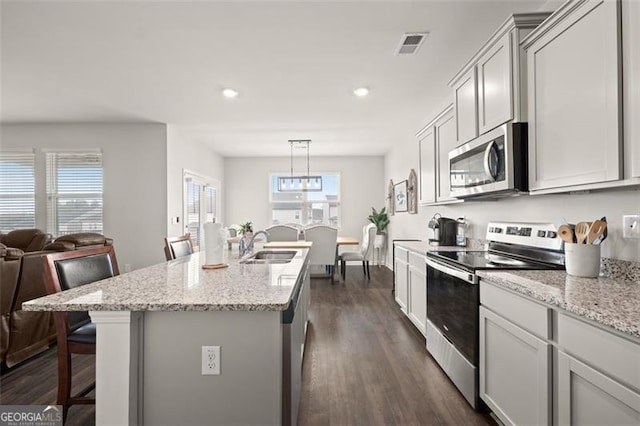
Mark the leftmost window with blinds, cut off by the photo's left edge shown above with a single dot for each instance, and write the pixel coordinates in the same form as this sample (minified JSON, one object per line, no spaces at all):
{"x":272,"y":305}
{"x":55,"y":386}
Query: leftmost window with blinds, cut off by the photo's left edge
{"x":17,"y":190}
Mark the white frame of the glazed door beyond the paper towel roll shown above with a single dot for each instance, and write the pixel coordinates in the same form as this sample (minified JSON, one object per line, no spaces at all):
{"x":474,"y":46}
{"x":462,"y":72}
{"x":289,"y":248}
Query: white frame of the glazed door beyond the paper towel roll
{"x":205,"y":183}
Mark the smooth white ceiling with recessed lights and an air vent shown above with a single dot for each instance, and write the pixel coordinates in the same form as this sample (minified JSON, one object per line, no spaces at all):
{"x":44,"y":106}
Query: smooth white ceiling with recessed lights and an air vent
{"x":294,"y":63}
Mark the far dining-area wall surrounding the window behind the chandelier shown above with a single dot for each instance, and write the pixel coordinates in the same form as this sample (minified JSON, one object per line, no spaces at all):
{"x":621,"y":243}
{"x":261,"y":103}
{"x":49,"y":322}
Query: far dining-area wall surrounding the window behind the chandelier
{"x":247,"y":188}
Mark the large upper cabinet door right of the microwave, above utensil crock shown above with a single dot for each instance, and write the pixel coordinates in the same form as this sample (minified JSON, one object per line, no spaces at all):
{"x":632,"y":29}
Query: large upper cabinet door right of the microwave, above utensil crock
{"x":574,"y":96}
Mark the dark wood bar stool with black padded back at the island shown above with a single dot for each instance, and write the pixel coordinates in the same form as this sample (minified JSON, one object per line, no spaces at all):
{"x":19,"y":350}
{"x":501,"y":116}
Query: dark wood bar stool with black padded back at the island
{"x":75,"y":333}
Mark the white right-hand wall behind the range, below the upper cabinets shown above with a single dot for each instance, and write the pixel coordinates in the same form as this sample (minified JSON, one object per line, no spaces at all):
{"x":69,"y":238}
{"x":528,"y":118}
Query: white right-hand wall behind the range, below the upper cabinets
{"x":540,"y":208}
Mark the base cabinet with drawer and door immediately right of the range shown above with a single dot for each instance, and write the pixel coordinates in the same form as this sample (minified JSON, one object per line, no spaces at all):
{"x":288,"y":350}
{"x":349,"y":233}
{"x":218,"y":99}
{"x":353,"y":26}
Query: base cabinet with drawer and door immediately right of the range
{"x":515,"y":358}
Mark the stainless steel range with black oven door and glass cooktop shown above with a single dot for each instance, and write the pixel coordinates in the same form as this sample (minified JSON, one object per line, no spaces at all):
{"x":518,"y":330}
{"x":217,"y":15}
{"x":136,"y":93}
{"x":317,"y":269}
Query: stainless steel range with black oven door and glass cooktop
{"x":453,"y":296}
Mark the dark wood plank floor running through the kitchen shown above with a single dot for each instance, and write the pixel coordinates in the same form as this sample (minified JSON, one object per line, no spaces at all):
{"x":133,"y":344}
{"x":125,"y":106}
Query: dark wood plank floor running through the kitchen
{"x":365,"y":364}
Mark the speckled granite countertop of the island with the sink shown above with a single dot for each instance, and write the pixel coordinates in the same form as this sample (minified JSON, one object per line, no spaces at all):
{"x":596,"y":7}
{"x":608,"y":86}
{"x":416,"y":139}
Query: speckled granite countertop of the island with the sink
{"x":182,"y":285}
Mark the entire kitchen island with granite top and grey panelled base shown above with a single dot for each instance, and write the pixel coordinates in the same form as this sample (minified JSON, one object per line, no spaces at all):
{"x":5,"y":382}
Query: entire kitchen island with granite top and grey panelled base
{"x":152,"y":324}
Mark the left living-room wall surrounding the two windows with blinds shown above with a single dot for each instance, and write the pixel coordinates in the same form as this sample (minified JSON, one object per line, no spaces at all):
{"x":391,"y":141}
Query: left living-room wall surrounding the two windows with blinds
{"x":135,"y":179}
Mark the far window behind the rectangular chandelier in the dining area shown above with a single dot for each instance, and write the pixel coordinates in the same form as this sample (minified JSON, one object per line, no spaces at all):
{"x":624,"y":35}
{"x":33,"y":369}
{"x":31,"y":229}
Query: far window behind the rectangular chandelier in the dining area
{"x":306,"y":208}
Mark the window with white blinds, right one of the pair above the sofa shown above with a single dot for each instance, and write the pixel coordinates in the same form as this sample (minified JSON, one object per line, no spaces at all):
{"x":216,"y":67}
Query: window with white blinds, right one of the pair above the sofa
{"x":74,"y":192}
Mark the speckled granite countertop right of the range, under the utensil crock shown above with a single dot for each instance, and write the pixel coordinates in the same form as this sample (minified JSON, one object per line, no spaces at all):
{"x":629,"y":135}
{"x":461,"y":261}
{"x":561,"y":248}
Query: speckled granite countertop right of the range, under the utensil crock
{"x":613,"y":302}
